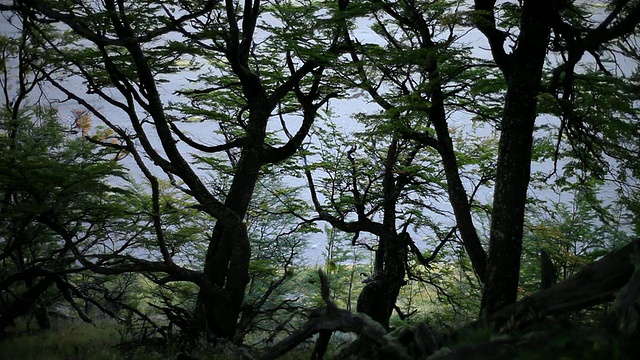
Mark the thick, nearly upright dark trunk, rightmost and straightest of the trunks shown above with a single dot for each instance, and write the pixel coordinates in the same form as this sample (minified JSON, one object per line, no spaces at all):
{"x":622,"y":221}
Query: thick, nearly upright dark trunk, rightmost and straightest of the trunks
{"x":523,"y":72}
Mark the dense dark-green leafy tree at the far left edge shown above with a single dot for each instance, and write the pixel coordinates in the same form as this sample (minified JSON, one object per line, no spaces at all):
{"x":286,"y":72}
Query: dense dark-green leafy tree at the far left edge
{"x":46,"y":174}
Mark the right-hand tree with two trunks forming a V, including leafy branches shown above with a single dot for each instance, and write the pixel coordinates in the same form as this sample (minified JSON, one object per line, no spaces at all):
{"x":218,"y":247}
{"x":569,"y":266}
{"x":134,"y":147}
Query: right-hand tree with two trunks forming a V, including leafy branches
{"x":421,"y":72}
